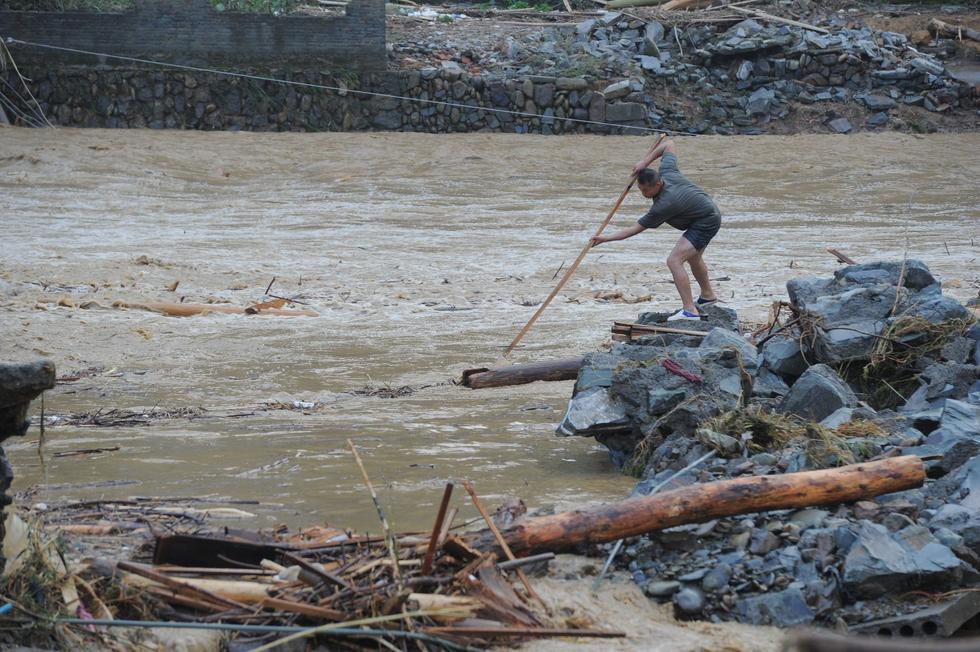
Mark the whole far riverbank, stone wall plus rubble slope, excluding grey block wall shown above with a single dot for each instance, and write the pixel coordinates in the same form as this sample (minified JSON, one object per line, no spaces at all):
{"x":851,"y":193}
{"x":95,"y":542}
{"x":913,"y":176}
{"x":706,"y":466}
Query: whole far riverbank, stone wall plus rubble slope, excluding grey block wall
{"x":717,"y":71}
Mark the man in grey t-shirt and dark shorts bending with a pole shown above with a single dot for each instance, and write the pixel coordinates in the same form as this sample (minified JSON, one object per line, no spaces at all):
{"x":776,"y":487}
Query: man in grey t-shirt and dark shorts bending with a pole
{"x":684,"y":206}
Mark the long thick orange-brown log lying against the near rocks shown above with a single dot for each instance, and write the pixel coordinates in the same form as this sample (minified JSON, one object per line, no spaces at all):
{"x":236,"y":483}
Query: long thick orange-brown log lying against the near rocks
{"x":700,"y":503}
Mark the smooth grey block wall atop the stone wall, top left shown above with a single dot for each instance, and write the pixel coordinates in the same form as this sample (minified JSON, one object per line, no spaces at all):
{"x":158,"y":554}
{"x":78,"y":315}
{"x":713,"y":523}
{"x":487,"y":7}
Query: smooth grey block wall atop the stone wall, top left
{"x":190,"y":31}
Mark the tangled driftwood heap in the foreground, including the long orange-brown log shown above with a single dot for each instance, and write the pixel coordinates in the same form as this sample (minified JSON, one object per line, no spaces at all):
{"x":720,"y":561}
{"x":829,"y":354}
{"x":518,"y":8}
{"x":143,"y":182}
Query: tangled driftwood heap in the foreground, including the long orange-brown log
{"x":448,"y":588}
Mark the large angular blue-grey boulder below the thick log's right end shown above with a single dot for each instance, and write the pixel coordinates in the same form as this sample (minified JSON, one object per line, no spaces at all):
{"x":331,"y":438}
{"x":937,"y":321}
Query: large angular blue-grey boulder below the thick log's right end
{"x":879,"y":562}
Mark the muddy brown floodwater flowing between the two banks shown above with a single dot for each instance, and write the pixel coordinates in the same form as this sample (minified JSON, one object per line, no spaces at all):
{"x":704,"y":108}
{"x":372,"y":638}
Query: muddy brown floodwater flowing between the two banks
{"x":423,"y":256}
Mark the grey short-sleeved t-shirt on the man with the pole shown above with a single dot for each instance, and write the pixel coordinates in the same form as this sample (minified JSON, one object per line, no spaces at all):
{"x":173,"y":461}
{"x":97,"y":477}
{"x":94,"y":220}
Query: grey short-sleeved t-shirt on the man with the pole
{"x":680,"y":203}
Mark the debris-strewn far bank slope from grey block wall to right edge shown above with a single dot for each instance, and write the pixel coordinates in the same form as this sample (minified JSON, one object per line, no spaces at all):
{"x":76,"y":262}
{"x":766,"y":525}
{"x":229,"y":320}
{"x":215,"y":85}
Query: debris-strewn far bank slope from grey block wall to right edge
{"x":722,"y":70}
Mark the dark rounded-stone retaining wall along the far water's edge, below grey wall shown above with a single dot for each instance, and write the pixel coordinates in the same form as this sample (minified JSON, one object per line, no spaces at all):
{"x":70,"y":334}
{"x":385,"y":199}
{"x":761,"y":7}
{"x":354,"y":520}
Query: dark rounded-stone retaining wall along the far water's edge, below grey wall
{"x":119,"y":98}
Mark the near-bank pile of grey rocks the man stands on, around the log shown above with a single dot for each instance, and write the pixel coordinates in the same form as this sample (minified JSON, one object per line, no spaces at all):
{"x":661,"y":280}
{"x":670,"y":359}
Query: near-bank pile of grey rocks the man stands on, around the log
{"x":667,"y":400}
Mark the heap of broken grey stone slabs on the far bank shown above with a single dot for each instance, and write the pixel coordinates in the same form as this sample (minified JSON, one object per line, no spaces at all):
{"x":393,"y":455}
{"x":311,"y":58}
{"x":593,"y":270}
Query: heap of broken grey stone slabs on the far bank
{"x":749,"y":72}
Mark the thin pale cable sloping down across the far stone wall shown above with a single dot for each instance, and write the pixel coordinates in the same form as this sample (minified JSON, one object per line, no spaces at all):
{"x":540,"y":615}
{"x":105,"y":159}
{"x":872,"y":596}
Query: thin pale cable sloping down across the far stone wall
{"x":338,"y":89}
